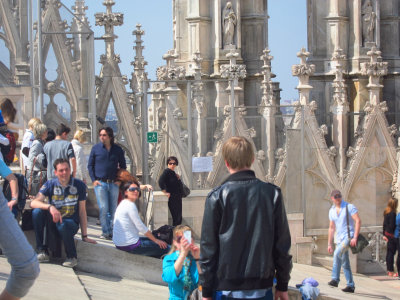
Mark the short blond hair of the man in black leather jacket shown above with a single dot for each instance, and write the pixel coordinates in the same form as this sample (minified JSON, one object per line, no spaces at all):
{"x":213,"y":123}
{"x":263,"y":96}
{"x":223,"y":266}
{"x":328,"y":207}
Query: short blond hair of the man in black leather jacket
{"x":238,"y":152}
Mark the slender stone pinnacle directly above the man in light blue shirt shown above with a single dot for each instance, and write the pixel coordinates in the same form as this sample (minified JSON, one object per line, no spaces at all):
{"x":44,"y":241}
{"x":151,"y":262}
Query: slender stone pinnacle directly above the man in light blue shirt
{"x":340,"y":109}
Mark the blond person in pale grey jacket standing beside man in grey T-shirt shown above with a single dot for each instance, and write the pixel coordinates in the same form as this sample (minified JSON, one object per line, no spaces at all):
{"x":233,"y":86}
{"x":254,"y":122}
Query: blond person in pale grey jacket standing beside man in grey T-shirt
{"x":36,"y":173}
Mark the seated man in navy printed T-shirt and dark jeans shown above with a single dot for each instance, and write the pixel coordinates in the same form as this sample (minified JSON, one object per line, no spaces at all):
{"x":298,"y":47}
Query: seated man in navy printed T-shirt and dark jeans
{"x":67,"y":206}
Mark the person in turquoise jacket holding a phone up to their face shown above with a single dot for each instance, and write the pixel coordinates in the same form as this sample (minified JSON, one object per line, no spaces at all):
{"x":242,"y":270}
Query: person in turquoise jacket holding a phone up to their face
{"x":181,"y":266}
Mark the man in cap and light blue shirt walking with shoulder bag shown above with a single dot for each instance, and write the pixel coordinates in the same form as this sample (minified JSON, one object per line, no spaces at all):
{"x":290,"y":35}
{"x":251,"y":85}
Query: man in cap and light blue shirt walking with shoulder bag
{"x":343,"y":239}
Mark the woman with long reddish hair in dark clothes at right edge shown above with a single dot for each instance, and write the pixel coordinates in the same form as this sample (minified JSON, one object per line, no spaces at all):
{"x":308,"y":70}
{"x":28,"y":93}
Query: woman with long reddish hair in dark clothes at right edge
{"x":389,"y":226}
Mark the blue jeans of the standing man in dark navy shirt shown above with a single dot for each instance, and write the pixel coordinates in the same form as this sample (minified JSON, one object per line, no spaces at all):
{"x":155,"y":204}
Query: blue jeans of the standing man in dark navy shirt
{"x":107,"y":200}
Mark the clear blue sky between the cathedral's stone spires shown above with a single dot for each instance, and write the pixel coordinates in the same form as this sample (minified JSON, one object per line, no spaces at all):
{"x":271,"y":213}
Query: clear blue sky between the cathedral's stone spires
{"x":287,"y":34}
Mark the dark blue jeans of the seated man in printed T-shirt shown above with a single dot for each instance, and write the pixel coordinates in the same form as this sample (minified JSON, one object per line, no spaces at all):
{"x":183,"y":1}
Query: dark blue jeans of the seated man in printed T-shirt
{"x":67,"y":229}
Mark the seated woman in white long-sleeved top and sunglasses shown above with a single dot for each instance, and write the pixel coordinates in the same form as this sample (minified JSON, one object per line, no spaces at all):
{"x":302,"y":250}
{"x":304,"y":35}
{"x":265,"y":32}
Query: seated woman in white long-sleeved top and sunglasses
{"x":128,"y":225}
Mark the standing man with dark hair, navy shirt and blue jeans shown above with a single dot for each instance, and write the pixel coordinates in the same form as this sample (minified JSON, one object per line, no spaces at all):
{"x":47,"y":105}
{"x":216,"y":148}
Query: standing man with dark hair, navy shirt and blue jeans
{"x":104,"y":161}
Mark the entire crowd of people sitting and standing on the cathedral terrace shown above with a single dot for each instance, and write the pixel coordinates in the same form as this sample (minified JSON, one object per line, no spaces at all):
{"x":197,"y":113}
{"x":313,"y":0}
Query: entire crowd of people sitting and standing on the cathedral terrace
{"x":245,"y":237}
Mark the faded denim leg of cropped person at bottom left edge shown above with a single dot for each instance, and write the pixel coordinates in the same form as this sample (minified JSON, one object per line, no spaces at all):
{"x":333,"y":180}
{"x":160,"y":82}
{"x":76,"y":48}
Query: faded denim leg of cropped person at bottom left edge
{"x":20,"y":255}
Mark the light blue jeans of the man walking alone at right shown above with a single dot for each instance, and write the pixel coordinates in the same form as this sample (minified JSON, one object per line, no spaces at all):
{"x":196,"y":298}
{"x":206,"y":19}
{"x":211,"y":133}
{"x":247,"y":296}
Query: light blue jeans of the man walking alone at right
{"x":341,"y":259}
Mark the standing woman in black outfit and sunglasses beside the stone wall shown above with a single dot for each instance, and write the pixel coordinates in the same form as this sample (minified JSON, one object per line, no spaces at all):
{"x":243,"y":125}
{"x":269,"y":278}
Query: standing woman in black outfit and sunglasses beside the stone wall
{"x":169,"y":183}
